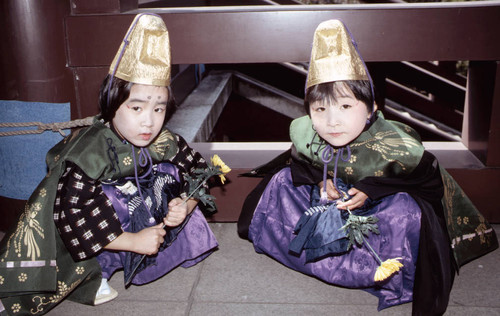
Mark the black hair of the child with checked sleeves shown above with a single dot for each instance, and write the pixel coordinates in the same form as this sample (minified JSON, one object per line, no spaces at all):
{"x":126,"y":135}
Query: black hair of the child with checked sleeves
{"x":119,"y":92}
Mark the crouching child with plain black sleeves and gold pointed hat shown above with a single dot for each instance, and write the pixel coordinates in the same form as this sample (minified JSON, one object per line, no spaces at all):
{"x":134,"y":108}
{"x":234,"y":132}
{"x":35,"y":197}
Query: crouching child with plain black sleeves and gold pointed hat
{"x":348,"y":165}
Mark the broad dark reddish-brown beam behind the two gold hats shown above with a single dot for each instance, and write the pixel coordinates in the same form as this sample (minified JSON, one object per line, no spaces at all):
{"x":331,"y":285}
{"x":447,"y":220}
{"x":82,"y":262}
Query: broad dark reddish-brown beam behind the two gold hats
{"x":384,"y":32}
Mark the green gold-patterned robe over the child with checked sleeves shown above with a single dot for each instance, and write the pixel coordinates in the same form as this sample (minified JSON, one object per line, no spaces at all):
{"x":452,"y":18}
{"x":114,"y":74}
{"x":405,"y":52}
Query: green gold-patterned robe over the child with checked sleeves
{"x":36,"y":270}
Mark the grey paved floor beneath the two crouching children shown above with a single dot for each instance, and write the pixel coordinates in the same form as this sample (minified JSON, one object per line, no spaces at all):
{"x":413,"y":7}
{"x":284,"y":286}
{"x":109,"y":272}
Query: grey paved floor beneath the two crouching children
{"x":235,"y":280}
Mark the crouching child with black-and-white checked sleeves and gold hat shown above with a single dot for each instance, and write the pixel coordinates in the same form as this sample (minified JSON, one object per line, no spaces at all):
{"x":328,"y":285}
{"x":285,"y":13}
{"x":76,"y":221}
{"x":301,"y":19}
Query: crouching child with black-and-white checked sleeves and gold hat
{"x":110,"y":191}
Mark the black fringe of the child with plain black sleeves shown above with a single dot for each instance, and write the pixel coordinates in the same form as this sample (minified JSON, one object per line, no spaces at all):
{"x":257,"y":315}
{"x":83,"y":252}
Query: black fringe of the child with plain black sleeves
{"x":330,"y":91}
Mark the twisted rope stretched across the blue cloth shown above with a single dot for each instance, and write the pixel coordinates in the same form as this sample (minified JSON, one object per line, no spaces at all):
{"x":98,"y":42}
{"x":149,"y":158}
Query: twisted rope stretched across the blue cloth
{"x":42,"y":127}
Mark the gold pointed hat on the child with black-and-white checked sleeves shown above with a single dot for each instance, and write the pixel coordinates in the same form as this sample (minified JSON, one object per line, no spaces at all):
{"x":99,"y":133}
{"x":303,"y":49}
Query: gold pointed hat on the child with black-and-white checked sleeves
{"x":144,"y":55}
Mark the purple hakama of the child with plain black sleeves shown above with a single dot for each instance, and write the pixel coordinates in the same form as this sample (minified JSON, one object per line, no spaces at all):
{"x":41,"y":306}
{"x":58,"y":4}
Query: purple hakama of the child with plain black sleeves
{"x":281,"y":206}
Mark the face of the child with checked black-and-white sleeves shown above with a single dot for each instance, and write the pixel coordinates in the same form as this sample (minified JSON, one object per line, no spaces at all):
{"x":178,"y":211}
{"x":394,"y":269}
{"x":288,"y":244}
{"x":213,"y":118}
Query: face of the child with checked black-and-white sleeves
{"x":140,"y":118}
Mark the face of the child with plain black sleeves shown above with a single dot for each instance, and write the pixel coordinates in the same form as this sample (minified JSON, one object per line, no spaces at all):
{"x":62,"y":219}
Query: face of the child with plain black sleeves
{"x":341,"y":121}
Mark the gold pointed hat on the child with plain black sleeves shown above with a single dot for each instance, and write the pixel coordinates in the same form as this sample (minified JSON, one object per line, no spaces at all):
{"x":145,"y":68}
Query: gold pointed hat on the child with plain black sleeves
{"x":334,"y":56}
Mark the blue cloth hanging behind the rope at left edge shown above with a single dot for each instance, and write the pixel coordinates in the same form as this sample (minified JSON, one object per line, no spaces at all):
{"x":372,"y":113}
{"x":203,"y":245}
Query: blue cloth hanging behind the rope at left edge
{"x":23,"y":156}
